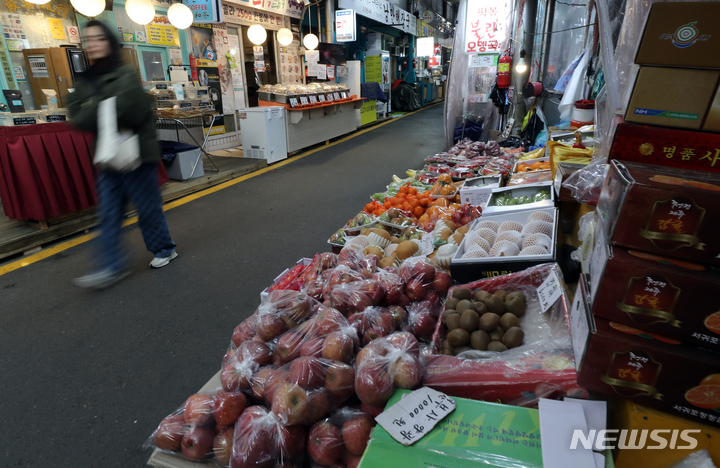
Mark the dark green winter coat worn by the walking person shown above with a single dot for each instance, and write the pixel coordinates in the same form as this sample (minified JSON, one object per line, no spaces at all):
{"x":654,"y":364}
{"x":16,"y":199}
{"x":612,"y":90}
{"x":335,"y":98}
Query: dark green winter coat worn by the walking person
{"x":133,"y":107}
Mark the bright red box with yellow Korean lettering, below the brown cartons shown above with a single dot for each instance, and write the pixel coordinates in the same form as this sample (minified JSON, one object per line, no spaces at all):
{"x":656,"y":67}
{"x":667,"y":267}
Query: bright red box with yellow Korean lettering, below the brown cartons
{"x":682,"y":149}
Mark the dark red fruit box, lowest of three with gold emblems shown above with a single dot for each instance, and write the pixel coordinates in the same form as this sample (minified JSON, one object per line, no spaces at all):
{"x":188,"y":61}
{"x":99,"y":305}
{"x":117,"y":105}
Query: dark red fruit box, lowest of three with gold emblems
{"x":654,"y":371}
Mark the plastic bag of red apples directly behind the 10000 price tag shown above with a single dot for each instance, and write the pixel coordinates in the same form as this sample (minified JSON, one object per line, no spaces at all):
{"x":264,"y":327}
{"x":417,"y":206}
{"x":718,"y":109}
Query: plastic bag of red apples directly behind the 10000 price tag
{"x":385,"y":364}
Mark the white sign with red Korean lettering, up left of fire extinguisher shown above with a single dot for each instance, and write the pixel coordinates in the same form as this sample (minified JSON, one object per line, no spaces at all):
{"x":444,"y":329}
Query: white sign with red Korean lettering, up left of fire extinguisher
{"x":485,"y":26}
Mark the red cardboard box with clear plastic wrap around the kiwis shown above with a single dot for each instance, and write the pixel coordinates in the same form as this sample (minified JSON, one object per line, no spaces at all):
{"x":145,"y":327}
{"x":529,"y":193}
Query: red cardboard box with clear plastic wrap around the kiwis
{"x":544,"y":363}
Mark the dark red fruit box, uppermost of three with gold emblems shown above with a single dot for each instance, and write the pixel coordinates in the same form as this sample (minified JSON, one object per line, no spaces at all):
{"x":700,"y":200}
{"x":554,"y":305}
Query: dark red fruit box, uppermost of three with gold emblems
{"x":666,"y":212}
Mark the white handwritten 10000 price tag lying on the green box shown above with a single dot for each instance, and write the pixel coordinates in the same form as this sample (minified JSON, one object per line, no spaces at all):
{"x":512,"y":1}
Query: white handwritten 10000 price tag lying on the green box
{"x":415,"y":415}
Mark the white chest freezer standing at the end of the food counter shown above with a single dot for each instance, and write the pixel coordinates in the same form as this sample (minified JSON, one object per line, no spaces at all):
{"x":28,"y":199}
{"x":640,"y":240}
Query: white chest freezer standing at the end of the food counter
{"x":263,"y":133}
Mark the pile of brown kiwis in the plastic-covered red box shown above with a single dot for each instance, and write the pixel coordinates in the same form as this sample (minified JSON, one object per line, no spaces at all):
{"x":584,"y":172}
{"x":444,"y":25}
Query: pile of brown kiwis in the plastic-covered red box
{"x":482,"y":321}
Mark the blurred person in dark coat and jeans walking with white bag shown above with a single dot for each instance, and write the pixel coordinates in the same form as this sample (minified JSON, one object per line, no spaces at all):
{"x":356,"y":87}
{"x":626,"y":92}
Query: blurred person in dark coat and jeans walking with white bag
{"x":108,"y":77}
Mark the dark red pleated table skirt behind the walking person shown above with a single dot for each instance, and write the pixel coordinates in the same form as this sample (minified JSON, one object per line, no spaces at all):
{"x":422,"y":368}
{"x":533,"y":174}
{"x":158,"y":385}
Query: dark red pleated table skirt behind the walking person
{"x":46,"y":170}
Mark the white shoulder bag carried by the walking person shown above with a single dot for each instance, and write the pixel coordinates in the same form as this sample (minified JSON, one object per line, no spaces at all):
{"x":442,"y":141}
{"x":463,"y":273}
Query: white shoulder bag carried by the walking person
{"x":115,"y":151}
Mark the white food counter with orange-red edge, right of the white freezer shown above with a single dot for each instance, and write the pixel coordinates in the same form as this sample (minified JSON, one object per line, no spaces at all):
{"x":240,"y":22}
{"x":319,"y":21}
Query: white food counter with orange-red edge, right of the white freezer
{"x":312,"y":125}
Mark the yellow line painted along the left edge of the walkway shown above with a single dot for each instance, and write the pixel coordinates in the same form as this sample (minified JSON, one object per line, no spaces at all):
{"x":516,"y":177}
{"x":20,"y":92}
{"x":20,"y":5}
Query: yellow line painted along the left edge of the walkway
{"x":50,"y":251}
